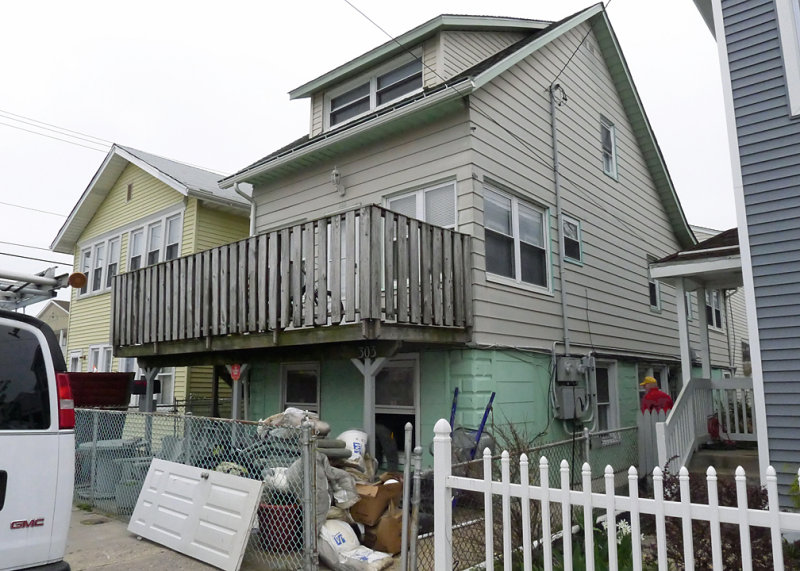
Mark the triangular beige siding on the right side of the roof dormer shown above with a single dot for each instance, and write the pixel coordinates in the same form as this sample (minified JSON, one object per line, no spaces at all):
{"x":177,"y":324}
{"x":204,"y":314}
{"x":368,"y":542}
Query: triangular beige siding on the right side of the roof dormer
{"x":462,"y":49}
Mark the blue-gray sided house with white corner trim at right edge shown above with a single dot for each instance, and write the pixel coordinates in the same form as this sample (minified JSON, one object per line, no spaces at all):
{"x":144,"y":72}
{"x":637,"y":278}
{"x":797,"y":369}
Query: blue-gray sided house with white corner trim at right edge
{"x":760,"y":62}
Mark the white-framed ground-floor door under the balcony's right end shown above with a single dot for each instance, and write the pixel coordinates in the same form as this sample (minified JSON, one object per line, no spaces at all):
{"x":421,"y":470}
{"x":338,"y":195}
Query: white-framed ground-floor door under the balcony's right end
{"x":396,"y":403}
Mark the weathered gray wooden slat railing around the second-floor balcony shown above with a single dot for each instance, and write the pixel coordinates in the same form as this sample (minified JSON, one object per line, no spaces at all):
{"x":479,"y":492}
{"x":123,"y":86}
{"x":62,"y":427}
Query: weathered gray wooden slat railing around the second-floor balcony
{"x":362,"y":264}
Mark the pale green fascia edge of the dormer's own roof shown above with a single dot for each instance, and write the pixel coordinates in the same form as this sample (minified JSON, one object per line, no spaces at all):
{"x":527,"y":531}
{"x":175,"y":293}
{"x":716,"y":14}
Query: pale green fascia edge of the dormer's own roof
{"x":409,"y":40}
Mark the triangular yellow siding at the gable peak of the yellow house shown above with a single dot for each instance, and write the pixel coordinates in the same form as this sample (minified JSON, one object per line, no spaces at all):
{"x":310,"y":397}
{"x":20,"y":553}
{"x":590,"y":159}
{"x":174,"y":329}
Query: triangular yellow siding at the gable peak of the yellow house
{"x":150,"y":195}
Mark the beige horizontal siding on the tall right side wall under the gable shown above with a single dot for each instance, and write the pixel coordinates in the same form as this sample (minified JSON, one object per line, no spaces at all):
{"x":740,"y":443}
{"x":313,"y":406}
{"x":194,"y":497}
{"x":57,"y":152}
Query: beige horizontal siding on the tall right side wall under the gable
{"x":608,"y":295}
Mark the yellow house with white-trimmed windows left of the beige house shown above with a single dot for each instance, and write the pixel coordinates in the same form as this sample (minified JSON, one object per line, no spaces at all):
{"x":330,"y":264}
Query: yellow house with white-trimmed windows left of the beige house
{"x":139,"y":210}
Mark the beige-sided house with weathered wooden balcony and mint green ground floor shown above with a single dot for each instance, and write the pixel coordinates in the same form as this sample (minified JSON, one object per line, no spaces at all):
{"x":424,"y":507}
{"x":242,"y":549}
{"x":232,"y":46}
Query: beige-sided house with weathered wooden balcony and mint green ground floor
{"x":465,"y":212}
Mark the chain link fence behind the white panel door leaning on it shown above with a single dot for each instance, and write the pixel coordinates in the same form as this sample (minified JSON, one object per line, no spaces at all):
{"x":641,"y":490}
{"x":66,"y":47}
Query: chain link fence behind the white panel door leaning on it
{"x":114,"y":450}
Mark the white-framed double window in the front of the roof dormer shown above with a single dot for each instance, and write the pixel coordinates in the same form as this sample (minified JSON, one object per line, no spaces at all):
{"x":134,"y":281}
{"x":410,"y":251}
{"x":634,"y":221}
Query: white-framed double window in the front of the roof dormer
{"x":383,"y":85}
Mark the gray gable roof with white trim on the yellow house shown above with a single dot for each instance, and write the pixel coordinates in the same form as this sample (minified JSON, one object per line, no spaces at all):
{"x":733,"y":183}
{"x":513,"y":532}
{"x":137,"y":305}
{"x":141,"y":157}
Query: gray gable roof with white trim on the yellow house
{"x":186,"y":179}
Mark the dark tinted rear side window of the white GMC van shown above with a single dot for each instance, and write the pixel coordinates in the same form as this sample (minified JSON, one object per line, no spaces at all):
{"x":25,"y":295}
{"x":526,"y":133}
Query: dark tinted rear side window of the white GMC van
{"x":24,"y":398}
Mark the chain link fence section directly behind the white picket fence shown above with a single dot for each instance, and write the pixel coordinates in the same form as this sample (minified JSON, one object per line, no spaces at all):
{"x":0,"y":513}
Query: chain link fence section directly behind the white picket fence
{"x":617,"y":448}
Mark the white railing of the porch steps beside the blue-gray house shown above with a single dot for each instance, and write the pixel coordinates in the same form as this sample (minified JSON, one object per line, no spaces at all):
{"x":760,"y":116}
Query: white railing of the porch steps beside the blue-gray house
{"x":687,"y":425}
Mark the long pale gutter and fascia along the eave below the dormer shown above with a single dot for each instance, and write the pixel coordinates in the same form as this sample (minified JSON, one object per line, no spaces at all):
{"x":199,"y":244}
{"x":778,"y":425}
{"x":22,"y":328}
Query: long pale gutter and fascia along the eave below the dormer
{"x":438,"y":97}
